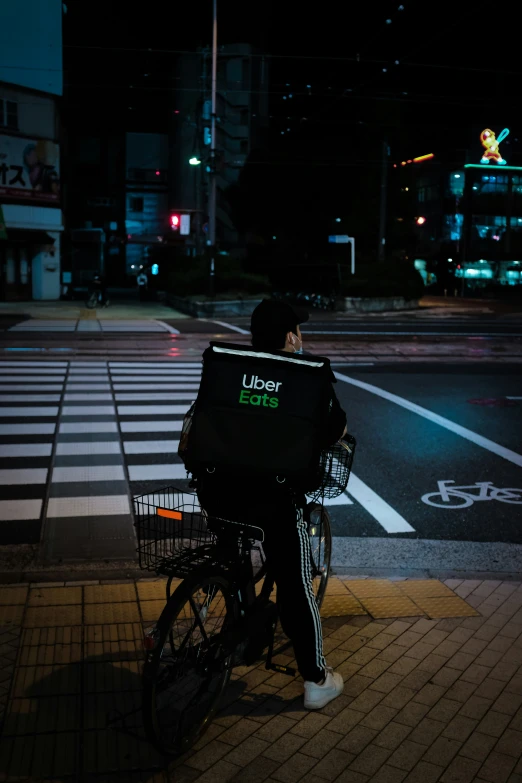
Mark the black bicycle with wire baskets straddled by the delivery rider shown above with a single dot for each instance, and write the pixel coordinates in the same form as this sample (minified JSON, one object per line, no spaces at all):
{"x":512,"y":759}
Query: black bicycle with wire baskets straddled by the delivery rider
{"x":221,"y":615}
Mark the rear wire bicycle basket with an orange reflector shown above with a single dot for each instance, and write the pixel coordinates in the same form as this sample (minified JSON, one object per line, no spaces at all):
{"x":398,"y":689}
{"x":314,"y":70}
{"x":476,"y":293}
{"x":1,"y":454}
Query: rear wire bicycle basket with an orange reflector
{"x":171,"y":528}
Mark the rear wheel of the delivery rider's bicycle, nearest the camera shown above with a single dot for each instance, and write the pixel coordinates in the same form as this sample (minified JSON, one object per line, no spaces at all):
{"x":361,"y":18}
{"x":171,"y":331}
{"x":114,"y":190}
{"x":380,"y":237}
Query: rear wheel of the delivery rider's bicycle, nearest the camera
{"x":188,"y":670}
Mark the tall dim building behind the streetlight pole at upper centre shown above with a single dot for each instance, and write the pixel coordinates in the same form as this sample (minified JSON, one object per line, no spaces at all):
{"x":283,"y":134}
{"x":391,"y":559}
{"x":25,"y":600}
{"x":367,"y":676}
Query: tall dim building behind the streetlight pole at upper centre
{"x":241,"y":118}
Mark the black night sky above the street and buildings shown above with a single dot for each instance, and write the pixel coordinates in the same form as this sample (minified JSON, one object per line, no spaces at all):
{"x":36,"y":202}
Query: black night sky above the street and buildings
{"x":420,"y":76}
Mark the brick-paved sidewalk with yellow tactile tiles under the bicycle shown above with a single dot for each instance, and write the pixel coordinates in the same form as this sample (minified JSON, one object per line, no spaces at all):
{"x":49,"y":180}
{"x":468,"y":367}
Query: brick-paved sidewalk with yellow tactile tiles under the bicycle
{"x":433,"y":695}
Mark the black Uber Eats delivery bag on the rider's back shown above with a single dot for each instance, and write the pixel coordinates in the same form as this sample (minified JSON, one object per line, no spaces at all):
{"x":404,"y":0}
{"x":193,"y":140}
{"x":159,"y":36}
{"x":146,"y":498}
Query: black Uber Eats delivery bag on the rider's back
{"x":259,"y":413}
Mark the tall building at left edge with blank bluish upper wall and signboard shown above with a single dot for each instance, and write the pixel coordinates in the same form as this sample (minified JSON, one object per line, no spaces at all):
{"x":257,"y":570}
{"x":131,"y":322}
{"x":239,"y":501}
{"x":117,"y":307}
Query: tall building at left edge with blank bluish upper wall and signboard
{"x":31,"y":223}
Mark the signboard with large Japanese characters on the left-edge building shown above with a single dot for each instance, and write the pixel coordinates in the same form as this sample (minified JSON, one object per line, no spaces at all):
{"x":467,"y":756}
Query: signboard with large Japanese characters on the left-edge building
{"x":29,"y":170}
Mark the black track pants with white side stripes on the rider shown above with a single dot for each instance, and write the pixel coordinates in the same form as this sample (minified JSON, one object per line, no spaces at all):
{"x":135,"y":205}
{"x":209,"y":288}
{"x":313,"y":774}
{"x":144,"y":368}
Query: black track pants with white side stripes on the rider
{"x":287,"y":550}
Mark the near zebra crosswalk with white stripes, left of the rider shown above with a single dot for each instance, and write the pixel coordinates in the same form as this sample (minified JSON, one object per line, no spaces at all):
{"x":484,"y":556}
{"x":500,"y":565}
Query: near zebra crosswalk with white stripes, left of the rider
{"x":79,"y":439}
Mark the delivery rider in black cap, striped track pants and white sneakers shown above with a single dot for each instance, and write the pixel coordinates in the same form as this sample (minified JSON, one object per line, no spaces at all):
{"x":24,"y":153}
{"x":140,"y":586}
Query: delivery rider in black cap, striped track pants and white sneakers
{"x":278,"y":511}
